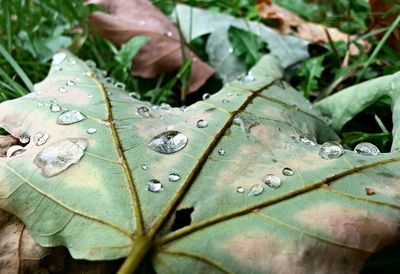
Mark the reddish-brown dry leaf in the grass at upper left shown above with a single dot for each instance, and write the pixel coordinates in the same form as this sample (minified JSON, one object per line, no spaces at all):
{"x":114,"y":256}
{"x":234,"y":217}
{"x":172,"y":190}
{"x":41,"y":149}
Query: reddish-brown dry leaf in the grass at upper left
{"x":162,"y":53}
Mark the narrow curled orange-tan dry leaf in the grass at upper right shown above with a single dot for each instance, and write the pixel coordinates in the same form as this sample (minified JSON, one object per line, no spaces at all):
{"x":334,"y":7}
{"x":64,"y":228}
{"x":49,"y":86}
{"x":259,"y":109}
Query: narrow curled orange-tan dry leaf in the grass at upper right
{"x":290,"y":23}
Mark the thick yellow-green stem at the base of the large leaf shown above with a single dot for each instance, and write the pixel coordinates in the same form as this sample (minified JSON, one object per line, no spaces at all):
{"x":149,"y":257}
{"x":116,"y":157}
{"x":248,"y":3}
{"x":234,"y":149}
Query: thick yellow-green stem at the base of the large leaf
{"x":139,"y":251}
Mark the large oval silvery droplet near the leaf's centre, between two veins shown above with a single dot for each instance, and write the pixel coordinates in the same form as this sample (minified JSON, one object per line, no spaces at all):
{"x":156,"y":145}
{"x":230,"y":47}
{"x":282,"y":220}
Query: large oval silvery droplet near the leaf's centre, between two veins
{"x":168,"y":142}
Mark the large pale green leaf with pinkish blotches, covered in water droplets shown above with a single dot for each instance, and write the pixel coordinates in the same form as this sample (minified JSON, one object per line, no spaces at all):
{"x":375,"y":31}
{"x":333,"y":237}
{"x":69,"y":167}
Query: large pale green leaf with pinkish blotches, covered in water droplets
{"x":95,"y":197}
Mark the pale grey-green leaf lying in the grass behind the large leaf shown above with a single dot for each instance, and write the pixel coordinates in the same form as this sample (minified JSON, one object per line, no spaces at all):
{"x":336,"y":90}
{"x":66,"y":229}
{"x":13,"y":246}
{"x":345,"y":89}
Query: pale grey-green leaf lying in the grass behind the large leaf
{"x":220,"y":51}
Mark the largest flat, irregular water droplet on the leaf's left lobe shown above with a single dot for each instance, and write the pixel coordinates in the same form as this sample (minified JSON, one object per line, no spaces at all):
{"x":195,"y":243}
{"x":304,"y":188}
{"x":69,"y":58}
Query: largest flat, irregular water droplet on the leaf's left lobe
{"x":57,"y":157}
